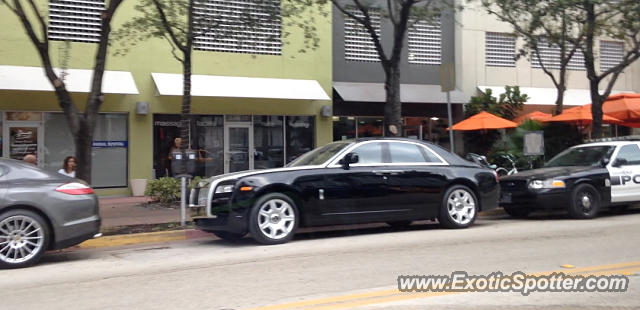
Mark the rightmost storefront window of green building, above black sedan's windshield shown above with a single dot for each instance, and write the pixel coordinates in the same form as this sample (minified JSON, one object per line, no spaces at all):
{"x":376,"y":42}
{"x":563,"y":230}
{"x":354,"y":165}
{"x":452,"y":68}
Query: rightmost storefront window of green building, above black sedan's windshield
{"x":299,"y":135}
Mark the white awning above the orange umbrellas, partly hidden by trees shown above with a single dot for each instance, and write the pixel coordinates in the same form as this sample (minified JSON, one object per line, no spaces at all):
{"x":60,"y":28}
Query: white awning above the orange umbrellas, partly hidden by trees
{"x":547,"y":96}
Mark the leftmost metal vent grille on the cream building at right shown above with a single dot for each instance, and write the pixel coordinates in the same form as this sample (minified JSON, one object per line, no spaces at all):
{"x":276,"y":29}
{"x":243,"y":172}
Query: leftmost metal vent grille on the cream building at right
{"x":500,"y":49}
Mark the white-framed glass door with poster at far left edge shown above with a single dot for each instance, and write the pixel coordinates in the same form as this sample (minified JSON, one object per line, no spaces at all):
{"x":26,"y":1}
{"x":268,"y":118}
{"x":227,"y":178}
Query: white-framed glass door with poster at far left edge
{"x":22,"y":139}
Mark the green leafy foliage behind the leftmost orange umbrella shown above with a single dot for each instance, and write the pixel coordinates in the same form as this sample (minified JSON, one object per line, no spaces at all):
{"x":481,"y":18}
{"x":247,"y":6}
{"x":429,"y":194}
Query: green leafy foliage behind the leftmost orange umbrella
{"x":507,"y":106}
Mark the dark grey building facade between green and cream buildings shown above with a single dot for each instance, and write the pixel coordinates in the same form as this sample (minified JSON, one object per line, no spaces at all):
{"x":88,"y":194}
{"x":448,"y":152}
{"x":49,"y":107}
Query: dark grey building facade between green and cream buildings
{"x":358,"y":78}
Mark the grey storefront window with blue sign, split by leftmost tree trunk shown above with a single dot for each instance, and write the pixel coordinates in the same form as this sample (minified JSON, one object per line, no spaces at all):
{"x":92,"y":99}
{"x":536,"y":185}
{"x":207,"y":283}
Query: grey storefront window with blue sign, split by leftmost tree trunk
{"x":110,"y":147}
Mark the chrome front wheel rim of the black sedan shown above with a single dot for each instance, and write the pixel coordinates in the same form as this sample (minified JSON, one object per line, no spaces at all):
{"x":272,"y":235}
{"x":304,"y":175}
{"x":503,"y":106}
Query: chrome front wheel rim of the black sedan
{"x":276,"y":219}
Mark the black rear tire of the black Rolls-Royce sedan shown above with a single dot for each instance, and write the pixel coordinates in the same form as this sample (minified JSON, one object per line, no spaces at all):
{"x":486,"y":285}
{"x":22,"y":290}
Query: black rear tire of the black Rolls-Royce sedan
{"x":446,"y":220}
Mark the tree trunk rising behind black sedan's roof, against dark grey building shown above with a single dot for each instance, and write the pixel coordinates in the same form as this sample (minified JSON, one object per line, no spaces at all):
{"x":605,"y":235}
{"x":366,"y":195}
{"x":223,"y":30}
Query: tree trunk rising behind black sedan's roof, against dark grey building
{"x":393,"y":105}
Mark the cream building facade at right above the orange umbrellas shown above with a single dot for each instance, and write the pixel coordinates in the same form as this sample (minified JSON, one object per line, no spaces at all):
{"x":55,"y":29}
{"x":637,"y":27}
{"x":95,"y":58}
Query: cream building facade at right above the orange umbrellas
{"x":486,"y":60}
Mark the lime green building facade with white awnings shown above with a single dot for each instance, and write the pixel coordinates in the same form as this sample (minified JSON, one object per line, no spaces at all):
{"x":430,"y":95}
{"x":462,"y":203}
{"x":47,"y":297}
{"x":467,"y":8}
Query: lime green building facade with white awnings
{"x":253,"y":106}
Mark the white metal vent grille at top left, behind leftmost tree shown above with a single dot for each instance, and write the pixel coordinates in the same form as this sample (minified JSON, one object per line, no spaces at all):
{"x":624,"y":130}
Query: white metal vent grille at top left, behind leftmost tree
{"x":75,"y":20}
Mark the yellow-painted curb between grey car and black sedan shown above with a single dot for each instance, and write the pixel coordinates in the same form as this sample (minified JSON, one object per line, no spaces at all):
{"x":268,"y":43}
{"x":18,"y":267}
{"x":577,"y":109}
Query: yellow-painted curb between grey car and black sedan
{"x":141,"y":238}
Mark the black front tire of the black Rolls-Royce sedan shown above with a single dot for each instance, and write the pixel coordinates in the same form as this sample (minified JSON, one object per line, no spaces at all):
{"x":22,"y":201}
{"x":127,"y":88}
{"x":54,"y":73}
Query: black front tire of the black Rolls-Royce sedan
{"x":289,"y":228}
